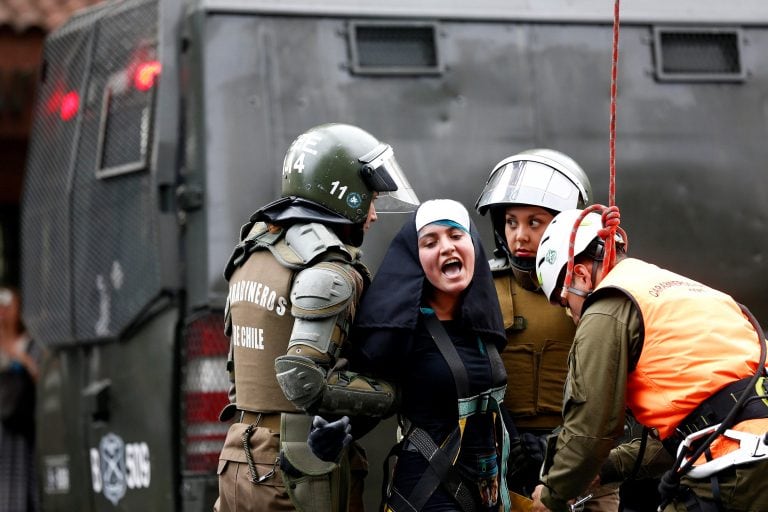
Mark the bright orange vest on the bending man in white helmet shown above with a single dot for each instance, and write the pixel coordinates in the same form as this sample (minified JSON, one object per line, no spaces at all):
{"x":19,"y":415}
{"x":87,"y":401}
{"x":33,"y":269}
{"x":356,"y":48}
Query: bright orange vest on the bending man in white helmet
{"x":681,"y":364}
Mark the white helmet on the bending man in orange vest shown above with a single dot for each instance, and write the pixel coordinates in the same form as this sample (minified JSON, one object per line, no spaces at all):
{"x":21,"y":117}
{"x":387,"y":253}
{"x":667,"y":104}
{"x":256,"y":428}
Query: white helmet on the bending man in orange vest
{"x":552,"y":255}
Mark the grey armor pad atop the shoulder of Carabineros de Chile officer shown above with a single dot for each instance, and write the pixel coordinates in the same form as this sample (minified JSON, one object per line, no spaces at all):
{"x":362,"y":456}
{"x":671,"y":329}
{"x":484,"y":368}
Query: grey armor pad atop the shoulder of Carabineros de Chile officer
{"x":304,"y":243}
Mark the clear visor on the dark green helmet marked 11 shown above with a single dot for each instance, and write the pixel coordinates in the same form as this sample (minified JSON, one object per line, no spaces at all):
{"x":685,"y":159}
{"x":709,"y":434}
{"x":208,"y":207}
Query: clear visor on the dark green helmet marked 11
{"x":383,"y":174}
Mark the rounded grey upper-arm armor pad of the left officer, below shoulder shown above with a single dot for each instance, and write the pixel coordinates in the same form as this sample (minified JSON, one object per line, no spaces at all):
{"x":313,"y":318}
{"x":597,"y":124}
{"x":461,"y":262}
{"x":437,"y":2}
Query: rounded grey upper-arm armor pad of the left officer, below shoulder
{"x":322,"y":290}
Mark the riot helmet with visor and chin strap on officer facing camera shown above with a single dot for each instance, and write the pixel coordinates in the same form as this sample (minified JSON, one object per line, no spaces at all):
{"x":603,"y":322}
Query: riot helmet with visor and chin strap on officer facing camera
{"x":539,"y":177}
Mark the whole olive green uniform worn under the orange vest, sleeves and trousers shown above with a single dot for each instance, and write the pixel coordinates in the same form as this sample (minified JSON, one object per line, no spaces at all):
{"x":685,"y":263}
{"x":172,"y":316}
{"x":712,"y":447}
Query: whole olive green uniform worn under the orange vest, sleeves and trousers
{"x":607,"y":346}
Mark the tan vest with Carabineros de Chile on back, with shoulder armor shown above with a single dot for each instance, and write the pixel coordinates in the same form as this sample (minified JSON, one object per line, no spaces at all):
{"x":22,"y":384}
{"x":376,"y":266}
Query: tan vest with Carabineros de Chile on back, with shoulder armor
{"x":261,"y":272}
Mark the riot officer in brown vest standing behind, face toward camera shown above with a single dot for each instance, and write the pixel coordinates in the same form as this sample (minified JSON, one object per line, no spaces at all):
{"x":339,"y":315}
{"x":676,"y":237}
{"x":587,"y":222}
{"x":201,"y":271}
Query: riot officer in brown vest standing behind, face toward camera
{"x":523,"y":194}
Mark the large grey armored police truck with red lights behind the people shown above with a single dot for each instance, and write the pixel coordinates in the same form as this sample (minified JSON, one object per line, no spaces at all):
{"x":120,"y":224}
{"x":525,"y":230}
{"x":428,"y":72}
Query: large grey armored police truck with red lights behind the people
{"x":161,"y":125}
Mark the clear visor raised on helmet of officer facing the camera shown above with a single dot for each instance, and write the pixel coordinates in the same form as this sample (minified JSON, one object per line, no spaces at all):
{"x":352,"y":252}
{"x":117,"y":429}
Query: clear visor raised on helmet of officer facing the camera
{"x":534,"y":183}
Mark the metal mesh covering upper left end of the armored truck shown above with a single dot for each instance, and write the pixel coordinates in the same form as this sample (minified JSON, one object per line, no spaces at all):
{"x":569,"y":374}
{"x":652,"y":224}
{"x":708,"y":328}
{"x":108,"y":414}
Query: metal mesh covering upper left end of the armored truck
{"x":91,"y":244}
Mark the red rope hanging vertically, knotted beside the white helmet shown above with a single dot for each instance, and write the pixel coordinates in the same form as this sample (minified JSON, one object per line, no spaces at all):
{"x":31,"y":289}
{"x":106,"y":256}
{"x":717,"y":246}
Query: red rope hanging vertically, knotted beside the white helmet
{"x":610,"y":214}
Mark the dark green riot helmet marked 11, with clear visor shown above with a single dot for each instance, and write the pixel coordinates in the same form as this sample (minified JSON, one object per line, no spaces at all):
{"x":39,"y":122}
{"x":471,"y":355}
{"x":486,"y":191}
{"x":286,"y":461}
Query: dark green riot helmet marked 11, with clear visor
{"x":339,"y":167}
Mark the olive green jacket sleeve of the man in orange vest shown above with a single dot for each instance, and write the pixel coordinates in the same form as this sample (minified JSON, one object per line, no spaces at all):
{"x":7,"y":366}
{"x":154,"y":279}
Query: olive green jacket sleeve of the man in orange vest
{"x":594,"y":411}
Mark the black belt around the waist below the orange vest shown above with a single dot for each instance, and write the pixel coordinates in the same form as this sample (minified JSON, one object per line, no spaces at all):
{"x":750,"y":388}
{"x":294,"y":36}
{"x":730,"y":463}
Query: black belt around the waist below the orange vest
{"x":717,"y":407}
